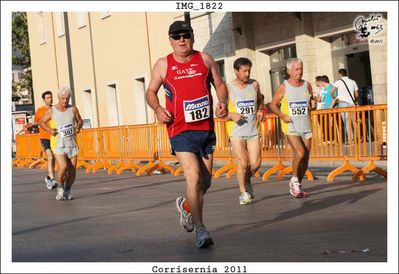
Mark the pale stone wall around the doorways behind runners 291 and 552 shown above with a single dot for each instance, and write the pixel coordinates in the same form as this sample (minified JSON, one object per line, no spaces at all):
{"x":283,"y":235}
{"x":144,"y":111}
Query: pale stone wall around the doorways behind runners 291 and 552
{"x":310,"y":33}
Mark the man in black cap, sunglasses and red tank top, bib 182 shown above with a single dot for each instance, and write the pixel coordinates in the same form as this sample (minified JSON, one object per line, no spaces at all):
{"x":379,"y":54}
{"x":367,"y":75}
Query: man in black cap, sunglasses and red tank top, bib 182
{"x":186,"y":76}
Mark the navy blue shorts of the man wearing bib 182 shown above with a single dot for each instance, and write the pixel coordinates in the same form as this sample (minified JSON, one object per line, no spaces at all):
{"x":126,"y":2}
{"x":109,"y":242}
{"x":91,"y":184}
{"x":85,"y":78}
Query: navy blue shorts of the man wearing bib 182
{"x":200,"y":143}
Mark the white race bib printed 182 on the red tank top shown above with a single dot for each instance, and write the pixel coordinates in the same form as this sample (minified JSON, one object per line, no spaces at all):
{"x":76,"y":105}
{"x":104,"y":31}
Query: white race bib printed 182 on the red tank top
{"x":197,"y":109}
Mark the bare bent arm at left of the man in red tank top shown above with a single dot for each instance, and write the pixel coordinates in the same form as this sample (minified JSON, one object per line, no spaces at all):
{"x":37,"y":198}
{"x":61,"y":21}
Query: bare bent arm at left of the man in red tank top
{"x":157,"y":77}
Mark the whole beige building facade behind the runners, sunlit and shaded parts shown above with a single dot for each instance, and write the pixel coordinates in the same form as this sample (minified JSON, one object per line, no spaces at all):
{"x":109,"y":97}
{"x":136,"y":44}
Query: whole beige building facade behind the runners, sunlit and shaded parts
{"x":107,"y":57}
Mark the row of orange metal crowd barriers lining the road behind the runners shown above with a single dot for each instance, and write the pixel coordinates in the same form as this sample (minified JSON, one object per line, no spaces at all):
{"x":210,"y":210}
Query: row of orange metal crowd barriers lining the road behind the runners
{"x":117,"y":148}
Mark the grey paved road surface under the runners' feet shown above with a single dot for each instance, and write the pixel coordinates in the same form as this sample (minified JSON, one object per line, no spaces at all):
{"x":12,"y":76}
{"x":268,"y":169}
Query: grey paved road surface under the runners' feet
{"x":124,"y":218}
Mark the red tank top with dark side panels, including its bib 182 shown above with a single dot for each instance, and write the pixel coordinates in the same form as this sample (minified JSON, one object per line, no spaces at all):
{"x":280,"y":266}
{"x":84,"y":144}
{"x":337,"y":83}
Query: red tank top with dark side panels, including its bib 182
{"x":188,"y":95}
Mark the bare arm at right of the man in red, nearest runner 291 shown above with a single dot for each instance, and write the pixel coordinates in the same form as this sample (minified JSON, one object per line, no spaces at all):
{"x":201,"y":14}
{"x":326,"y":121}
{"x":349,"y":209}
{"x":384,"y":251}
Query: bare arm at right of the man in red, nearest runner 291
{"x":220,"y":86}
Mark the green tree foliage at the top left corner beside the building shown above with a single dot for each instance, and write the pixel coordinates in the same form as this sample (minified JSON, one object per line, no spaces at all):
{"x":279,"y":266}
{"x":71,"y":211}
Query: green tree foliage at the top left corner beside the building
{"x":20,"y":40}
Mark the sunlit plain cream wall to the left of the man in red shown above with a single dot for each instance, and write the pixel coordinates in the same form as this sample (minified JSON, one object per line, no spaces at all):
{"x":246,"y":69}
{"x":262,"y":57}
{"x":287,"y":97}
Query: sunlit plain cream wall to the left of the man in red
{"x":106,"y":49}
